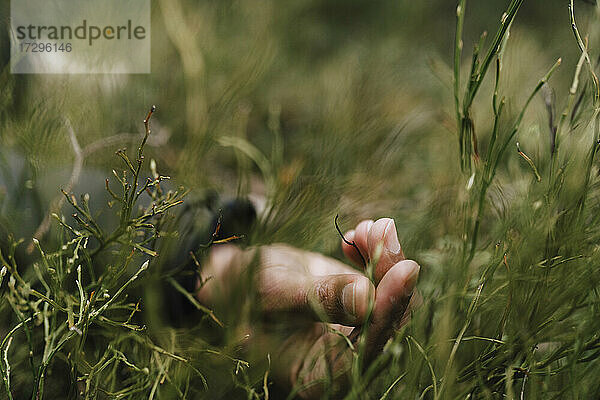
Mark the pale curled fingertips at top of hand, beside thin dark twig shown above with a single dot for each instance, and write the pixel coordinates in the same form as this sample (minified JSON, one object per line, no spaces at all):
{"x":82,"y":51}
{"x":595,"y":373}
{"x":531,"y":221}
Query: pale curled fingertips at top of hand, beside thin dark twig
{"x":369,"y":236}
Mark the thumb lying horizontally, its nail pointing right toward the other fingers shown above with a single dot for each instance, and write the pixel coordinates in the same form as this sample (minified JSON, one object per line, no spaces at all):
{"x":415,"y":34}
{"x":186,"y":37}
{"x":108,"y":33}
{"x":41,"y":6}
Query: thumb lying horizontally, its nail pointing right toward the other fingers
{"x":339,"y":298}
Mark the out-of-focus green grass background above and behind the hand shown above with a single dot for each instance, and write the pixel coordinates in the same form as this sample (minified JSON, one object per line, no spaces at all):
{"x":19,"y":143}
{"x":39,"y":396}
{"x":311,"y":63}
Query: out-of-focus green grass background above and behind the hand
{"x":360,"y":92}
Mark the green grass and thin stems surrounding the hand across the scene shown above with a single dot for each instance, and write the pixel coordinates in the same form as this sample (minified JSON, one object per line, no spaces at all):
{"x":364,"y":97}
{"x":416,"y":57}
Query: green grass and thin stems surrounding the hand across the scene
{"x":362,"y":123}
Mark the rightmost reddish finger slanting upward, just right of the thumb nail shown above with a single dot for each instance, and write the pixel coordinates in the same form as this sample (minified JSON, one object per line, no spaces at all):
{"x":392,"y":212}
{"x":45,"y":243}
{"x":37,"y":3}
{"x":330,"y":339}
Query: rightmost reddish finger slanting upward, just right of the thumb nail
{"x":393,"y":296}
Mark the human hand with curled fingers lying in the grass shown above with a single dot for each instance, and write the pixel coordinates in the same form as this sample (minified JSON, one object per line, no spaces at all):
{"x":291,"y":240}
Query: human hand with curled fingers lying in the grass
{"x":314,"y":288}
